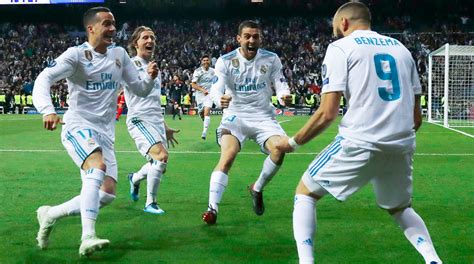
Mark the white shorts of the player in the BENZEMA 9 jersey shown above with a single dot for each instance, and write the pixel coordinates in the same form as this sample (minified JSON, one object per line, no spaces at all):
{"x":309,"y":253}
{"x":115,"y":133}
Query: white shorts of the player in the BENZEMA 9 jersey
{"x":343,"y":168}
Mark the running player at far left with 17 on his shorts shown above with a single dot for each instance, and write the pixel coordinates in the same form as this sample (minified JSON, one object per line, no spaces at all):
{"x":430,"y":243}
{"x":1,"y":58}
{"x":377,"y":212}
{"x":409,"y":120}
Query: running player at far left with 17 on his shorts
{"x":94,"y":71}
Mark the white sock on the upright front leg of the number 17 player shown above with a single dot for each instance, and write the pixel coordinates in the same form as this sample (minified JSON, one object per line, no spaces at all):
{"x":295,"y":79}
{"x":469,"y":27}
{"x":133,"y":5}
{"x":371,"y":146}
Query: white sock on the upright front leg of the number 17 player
{"x":89,"y":200}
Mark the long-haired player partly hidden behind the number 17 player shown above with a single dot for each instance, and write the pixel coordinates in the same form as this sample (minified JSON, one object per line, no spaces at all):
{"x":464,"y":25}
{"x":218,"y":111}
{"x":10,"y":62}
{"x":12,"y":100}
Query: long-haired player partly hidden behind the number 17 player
{"x":146,"y":124}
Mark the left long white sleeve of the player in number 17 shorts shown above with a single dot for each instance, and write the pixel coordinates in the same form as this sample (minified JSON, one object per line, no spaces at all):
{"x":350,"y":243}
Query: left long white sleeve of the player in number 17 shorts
{"x":62,"y":67}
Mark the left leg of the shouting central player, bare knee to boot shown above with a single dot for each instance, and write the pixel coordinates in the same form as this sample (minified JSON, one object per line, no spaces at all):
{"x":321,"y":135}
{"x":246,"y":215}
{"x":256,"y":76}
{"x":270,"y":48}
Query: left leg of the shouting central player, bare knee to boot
{"x":230,"y":146}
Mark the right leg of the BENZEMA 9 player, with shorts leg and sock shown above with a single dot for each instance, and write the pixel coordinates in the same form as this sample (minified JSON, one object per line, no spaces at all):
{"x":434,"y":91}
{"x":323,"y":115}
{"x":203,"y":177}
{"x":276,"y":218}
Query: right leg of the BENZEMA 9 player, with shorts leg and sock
{"x":394,"y":190}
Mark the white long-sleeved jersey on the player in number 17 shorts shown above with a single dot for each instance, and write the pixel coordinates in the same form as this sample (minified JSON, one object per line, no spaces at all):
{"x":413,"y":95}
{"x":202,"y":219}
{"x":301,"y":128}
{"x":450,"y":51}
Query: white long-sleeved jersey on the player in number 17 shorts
{"x":93,"y":79}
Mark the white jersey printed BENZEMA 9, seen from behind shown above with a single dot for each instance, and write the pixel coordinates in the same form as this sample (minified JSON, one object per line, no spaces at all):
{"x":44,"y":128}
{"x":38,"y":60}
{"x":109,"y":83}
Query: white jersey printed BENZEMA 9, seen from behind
{"x":378,"y":77}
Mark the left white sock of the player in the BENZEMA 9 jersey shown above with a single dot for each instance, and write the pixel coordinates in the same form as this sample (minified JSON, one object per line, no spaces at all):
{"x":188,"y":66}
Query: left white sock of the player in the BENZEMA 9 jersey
{"x":304,"y":226}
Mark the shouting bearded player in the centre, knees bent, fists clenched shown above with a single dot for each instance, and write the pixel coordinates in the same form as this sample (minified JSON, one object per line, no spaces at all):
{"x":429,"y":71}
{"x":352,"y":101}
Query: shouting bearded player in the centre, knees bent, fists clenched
{"x":243,"y":88}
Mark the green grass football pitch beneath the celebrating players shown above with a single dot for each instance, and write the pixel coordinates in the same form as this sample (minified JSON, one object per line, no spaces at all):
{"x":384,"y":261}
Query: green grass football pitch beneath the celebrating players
{"x":35,"y":170}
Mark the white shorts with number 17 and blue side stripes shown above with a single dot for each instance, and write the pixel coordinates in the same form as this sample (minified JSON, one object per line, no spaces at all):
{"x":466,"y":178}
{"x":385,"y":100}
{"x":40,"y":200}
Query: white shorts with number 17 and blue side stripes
{"x":81,"y":141}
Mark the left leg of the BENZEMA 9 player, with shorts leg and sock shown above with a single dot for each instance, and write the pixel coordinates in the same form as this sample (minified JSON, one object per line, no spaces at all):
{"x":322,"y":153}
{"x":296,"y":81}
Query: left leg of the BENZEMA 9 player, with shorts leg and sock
{"x":341,"y":170}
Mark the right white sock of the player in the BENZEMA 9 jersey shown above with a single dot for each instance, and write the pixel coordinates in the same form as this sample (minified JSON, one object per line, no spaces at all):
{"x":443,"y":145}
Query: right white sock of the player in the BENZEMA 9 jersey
{"x":416,"y":232}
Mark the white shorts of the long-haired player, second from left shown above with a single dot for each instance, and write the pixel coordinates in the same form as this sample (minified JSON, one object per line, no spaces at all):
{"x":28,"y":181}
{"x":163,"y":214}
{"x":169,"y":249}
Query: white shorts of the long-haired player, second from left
{"x":146,"y":134}
